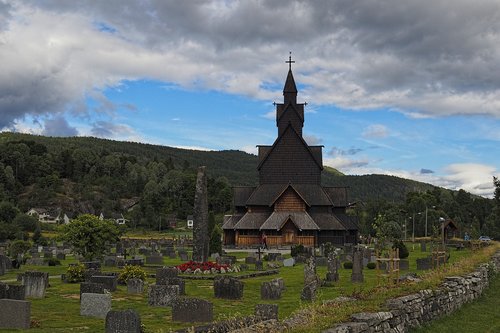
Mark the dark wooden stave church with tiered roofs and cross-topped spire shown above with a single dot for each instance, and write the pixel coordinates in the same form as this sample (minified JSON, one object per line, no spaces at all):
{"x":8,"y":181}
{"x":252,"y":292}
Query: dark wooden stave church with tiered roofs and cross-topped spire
{"x":289,"y":205}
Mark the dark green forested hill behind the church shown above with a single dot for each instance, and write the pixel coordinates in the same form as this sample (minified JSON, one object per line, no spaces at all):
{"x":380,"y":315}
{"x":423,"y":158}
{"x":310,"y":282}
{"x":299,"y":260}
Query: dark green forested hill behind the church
{"x":93,"y":175}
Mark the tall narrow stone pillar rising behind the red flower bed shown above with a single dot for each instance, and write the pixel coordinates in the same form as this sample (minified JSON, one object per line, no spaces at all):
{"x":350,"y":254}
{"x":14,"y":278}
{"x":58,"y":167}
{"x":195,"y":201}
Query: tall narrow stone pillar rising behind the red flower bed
{"x":200,"y":218}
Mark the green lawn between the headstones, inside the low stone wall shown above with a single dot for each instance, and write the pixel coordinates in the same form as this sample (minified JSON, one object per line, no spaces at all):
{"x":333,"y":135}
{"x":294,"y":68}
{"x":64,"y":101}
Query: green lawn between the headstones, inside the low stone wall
{"x":59,"y":311}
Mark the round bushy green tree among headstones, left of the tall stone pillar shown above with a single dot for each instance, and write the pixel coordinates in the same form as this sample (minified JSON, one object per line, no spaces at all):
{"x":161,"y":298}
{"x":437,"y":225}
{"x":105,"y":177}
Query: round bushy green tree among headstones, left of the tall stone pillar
{"x":88,"y":235}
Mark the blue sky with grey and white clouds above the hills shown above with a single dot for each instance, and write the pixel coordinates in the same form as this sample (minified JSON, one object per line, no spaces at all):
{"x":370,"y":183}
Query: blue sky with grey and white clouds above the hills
{"x":404,"y":88}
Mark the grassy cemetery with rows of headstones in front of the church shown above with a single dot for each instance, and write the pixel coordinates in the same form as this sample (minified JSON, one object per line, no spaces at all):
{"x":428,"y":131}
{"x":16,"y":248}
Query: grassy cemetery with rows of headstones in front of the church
{"x":239,"y":293}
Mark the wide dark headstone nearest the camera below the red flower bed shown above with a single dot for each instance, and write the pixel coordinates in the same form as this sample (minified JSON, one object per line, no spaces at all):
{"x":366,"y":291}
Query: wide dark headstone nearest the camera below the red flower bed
{"x":189,"y":310}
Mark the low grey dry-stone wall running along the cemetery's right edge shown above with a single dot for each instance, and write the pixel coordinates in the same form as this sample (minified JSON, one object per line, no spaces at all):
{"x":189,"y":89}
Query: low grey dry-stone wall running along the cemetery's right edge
{"x":413,"y":310}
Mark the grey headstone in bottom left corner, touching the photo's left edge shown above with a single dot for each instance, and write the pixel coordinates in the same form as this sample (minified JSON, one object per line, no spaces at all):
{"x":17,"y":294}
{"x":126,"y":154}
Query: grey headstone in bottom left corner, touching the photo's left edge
{"x":15,"y":314}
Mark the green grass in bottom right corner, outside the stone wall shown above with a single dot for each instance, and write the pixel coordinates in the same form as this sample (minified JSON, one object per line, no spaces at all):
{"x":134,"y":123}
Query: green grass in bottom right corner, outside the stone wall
{"x":479,"y":316}
